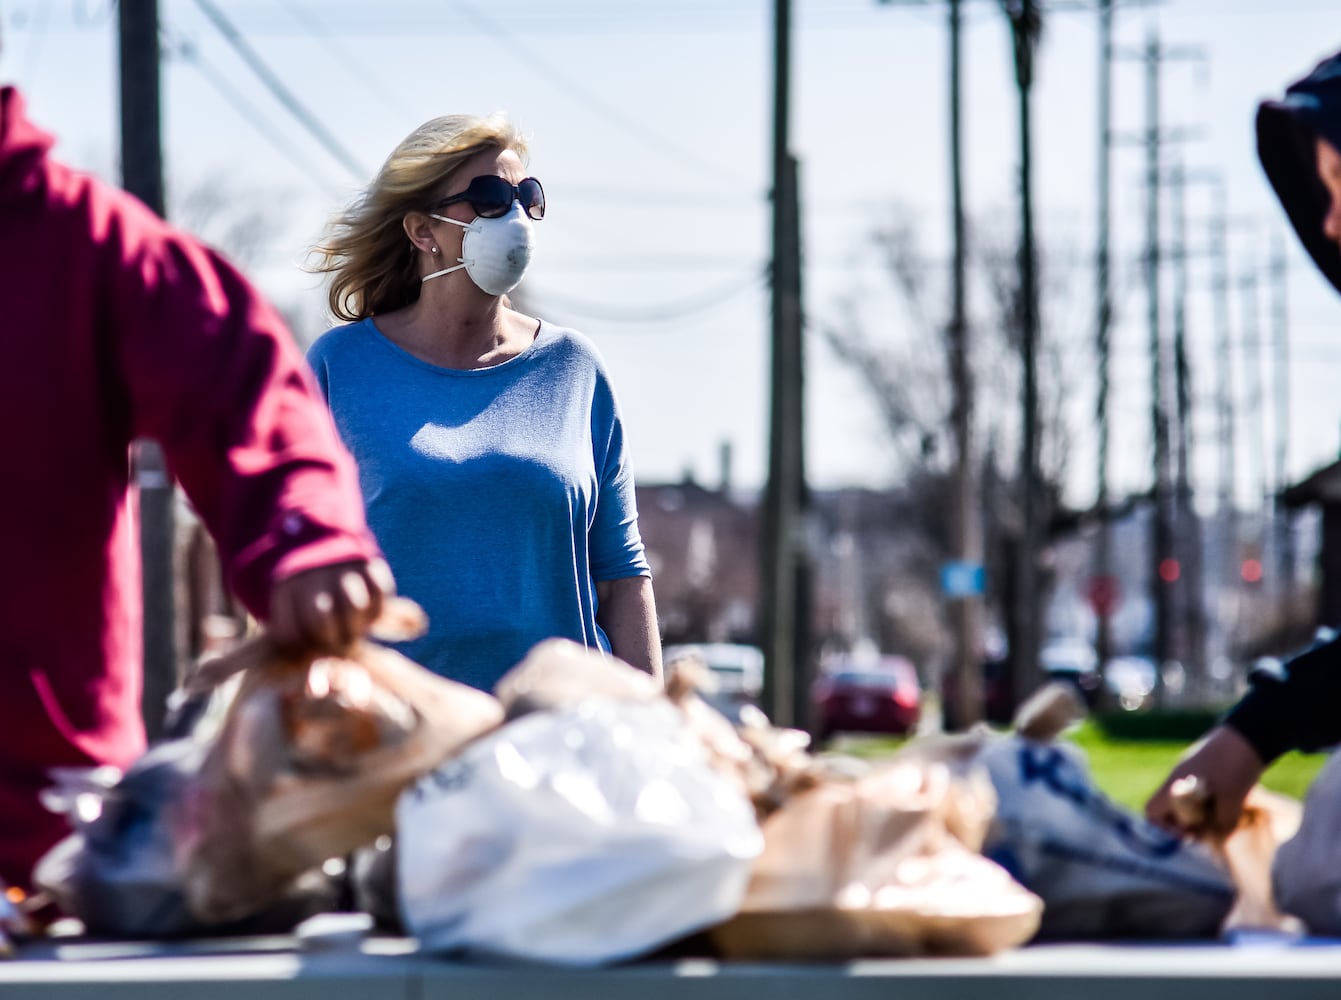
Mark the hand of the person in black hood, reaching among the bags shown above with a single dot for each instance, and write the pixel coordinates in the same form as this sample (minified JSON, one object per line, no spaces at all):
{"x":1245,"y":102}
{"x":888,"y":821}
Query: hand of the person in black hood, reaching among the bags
{"x":1225,"y":767}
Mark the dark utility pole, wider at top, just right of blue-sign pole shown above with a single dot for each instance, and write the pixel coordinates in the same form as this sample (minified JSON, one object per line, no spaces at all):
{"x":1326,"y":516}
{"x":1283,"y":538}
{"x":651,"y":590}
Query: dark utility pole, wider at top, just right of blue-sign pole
{"x":1027,"y":22}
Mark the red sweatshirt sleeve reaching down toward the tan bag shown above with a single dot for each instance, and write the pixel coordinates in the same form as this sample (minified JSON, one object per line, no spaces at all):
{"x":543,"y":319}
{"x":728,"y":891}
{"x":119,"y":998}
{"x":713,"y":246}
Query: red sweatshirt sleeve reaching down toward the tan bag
{"x":213,"y":373}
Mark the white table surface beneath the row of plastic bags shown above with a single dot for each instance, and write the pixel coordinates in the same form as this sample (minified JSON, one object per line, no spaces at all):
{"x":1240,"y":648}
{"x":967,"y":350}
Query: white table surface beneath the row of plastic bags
{"x":392,"y":970}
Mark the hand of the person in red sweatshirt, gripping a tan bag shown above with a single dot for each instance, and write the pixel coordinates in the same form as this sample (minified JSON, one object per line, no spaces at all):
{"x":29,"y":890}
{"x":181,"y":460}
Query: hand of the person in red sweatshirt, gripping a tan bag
{"x":327,"y":609}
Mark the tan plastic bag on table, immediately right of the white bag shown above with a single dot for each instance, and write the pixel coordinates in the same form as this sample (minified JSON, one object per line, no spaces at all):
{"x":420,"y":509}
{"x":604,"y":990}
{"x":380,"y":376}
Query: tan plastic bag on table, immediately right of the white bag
{"x":886,"y":865}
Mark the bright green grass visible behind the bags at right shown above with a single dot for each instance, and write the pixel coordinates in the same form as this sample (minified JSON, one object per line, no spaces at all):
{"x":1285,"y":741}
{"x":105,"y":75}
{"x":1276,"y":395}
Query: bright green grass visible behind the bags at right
{"x":1128,"y":771}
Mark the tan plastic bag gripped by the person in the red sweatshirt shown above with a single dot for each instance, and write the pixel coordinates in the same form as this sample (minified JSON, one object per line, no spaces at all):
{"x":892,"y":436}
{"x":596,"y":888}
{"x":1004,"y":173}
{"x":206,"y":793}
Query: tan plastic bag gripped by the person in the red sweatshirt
{"x":308,"y":766}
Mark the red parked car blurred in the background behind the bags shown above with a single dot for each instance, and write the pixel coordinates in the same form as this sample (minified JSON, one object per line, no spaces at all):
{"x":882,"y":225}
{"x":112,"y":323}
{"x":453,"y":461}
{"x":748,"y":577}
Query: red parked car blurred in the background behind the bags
{"x":880,"y":695}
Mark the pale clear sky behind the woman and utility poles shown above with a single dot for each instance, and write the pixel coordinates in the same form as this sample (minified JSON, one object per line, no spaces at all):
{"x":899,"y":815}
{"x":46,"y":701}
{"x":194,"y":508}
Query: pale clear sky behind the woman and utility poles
{"x":651,"y":128}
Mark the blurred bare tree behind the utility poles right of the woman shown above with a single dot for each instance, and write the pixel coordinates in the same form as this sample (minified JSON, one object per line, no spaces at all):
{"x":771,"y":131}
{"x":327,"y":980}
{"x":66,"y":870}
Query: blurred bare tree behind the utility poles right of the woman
{"x":899,"y":349}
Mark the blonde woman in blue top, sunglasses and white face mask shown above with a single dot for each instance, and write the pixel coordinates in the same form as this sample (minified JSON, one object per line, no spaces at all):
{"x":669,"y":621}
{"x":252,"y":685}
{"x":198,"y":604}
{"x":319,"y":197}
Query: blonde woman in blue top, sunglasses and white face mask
{"x":490,"y":446}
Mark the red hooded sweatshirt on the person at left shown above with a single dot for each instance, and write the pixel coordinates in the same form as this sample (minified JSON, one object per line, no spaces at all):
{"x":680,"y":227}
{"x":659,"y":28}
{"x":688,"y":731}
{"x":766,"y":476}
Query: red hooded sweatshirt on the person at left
{"x":113,"y":326}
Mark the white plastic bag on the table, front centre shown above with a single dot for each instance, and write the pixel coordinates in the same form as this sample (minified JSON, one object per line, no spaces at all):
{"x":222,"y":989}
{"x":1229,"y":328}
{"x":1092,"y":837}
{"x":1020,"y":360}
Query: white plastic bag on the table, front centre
{"x":583,"y":836}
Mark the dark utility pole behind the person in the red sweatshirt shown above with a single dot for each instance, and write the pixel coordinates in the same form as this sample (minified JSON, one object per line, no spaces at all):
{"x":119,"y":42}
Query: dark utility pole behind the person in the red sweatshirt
{"x":141,"y":174}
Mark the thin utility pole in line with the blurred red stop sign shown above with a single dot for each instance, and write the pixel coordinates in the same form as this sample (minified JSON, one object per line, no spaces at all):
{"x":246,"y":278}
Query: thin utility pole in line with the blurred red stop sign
{"x":1106,"y":582}
